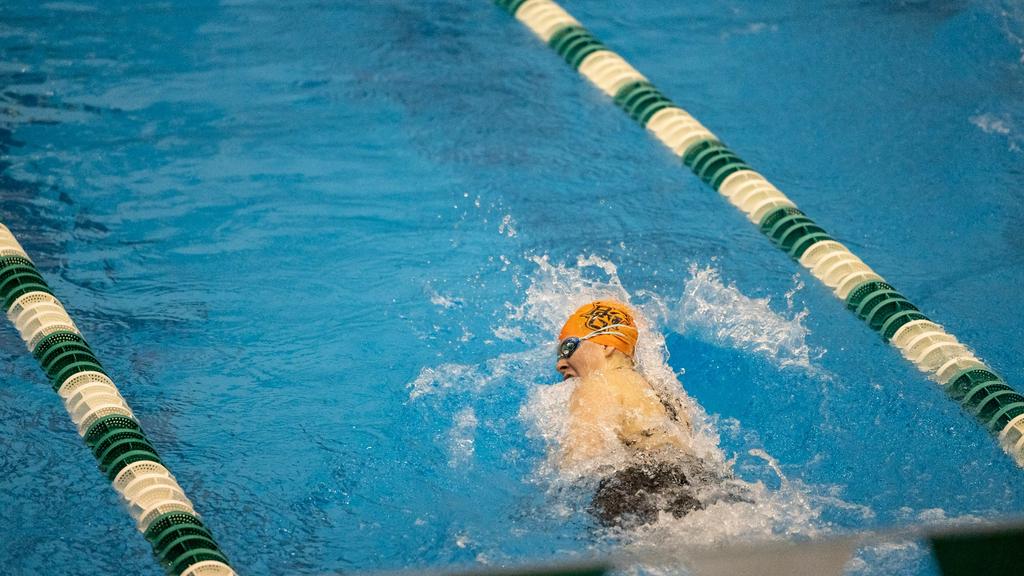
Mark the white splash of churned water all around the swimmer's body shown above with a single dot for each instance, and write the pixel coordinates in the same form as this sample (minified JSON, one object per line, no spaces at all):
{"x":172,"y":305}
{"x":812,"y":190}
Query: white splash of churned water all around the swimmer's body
{"x":791,"y":510}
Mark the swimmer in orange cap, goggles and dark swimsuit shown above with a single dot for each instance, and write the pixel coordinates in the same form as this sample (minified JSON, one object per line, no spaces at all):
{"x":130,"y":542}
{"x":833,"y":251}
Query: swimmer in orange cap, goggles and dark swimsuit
{"x":615,"y":410}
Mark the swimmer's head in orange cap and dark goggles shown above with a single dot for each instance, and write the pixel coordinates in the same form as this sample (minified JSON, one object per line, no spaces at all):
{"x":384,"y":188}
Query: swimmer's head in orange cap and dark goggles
{"x":594,"y":336}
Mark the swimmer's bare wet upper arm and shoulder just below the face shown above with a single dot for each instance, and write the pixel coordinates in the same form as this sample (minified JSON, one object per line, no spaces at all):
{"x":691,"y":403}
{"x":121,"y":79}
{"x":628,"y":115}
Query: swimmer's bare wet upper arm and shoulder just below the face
{"x":594,"y":421}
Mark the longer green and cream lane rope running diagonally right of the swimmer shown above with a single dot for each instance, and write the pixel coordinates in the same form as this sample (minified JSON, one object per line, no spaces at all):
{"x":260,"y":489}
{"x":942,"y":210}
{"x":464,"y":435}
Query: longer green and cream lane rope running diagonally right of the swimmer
{"x":967,"y":380}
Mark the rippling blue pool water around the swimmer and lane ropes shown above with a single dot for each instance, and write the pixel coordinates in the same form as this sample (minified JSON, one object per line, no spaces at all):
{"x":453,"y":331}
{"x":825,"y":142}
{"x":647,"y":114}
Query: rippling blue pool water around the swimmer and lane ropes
{"x":323,"y":251}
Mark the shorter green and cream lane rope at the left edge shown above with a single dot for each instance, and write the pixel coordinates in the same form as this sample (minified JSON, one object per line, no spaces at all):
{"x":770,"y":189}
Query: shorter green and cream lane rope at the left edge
{"x":162,"y":513}
